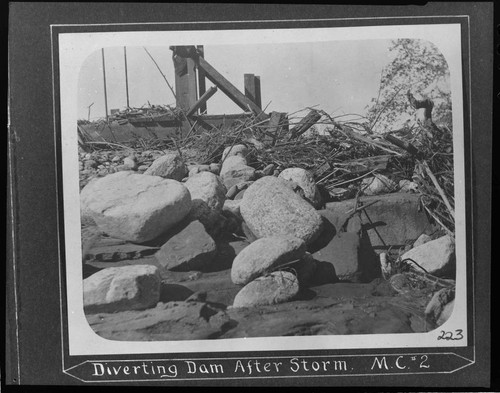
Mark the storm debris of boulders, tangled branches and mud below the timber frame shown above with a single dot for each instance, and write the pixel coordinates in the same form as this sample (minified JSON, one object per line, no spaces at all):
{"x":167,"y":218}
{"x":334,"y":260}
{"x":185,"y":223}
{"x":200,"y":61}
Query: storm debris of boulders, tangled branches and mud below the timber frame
{"x":263,"y":219}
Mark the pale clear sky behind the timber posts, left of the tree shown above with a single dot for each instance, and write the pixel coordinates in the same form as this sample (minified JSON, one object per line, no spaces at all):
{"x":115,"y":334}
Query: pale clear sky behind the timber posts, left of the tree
{"x":338,"y":76}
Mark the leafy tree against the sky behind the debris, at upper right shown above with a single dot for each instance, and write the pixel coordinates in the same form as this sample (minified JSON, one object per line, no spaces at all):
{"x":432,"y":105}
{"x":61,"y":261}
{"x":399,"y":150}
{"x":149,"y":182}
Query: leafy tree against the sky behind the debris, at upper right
{"x":418,"y":66}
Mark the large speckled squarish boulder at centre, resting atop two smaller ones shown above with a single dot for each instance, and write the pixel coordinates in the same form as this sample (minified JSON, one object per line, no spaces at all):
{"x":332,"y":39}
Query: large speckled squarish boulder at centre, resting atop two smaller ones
{"x":270,"y":208}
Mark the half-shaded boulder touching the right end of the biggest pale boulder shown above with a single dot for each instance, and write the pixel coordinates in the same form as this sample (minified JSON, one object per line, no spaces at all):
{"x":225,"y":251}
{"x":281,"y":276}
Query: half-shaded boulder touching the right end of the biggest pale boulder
{"x":208,"y":194}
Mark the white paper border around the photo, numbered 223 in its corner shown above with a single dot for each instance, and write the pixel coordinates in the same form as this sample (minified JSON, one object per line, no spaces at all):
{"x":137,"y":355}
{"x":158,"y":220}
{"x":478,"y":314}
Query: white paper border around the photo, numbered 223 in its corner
{"x":73,"y":49}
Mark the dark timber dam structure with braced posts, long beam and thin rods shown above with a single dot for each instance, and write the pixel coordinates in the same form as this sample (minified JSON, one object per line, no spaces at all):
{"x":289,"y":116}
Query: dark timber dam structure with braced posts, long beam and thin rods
{"x":191,"y":94}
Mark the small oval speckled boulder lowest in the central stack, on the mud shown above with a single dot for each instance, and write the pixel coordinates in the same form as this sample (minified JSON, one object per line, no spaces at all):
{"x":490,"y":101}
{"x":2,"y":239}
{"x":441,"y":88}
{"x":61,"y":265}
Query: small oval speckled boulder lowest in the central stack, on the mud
{"x":277,"y":287}
